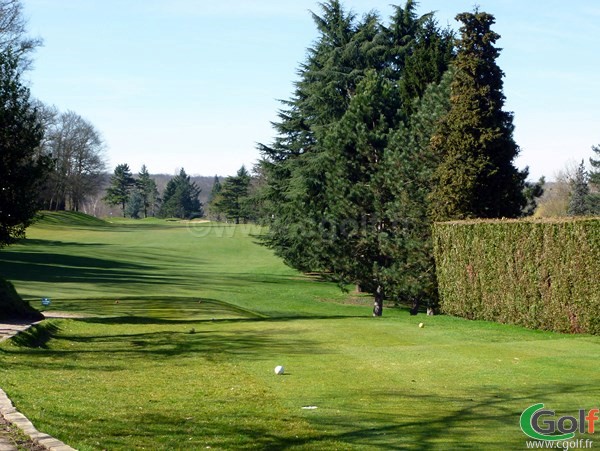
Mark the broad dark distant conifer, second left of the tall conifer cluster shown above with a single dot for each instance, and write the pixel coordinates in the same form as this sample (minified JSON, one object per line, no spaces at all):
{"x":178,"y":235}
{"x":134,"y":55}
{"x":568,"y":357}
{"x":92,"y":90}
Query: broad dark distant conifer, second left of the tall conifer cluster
{"x":180,"y":199}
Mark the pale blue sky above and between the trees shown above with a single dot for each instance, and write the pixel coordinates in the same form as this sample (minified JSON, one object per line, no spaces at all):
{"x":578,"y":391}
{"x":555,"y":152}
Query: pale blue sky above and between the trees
{"x":195,"y":84}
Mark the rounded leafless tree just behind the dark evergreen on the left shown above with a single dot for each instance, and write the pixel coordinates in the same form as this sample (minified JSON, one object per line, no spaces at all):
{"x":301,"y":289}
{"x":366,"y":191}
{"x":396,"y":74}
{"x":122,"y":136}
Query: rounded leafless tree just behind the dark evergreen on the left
{"x":77,"y":150}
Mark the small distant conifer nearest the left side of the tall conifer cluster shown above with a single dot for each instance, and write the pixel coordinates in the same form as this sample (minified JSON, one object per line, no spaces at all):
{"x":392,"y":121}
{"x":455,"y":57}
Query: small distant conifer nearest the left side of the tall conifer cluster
{"x":232,"y":199}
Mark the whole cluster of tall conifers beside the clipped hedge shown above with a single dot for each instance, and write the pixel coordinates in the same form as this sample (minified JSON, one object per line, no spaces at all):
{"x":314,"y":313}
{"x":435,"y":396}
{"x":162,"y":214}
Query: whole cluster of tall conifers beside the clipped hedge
{"x":392,"y":125}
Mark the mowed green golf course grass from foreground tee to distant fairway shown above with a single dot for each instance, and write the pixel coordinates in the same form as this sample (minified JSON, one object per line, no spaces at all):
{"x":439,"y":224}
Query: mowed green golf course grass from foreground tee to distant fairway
{"x":183,"y":324}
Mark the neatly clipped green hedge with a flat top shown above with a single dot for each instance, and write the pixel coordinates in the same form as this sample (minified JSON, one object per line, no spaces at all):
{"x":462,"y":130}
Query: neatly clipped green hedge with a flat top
{"x":538,"y":274}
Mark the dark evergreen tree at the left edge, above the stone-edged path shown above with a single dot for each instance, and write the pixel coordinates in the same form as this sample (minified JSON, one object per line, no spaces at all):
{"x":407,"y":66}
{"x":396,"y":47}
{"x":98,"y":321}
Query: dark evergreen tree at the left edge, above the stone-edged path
{"x":22,"y":167}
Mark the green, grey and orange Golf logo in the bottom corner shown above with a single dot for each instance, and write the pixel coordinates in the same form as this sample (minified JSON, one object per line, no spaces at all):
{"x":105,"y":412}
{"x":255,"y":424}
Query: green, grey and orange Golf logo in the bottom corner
{"x":542,"y":424}
